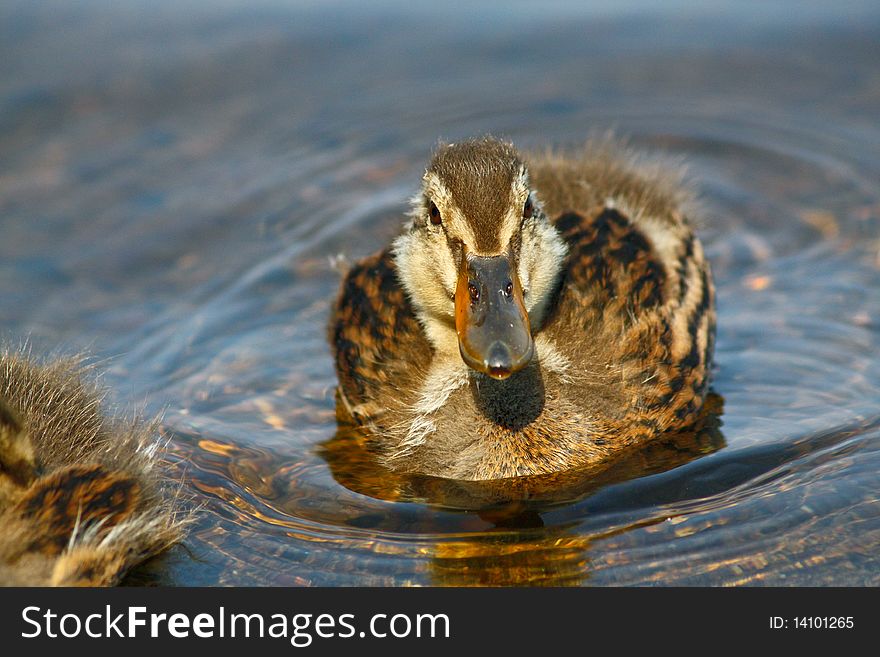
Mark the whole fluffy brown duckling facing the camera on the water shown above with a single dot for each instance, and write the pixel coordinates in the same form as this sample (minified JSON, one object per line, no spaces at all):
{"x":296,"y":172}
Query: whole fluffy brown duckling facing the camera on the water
{"x":539,"y":313}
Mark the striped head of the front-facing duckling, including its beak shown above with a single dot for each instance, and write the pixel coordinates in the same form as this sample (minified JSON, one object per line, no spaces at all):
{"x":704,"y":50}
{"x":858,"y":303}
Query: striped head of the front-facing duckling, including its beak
{"x":480,"y":260}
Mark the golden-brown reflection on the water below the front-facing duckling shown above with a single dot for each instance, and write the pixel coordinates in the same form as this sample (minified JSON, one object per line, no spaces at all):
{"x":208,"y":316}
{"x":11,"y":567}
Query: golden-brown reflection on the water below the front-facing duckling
{"x":515,"y":548}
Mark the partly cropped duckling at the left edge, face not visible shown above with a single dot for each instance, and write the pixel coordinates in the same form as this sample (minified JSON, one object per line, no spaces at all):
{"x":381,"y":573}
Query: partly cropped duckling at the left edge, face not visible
{"x":80,"y":501}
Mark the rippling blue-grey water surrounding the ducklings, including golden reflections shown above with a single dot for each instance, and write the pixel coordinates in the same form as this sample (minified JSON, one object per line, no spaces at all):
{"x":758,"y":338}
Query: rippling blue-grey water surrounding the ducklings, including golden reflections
{"x":177,"y":180}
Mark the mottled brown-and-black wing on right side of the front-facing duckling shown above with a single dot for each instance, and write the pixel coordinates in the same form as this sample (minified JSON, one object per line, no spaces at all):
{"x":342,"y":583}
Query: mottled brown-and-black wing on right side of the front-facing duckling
{"x":637,"y":310}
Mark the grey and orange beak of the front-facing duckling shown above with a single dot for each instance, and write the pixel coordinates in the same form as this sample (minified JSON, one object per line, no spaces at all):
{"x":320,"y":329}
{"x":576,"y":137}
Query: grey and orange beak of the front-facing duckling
{"x":490,"y":317}
